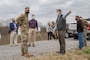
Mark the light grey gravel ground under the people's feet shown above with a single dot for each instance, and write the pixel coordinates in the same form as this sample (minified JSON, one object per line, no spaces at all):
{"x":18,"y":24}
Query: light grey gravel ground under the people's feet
{"x":14,"y":53}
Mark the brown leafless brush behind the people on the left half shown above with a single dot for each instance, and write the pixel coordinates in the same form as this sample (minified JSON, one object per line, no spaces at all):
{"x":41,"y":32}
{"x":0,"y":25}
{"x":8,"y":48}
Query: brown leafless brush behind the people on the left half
{"x":6,"y":36}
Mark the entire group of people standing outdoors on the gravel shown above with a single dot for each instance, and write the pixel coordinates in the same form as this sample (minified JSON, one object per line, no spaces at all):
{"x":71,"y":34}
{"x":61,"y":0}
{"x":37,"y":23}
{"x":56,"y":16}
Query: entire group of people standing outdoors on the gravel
{"x":29,"y":29}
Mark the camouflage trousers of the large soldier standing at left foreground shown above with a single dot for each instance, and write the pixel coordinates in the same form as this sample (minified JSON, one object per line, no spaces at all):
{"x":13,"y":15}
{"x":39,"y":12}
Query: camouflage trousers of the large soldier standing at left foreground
{"x":24,"y":42}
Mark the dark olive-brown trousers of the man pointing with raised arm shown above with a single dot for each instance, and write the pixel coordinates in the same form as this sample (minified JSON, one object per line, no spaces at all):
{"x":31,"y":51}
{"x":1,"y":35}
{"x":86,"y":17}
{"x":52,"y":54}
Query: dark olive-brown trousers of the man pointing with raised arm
{"x":61,"y":36}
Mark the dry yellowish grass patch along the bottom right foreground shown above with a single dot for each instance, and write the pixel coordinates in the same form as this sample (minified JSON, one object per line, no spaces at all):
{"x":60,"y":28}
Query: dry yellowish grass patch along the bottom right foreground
{"x":73,"y":54}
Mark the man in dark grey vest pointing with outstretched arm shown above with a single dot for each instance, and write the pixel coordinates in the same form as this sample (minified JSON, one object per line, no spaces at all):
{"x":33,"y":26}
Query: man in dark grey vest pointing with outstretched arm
{"x":61,"y":28}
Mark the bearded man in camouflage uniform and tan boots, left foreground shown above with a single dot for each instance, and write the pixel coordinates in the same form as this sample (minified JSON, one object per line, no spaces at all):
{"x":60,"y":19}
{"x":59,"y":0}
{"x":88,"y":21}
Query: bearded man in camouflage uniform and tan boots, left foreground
{"x":22,"y":21}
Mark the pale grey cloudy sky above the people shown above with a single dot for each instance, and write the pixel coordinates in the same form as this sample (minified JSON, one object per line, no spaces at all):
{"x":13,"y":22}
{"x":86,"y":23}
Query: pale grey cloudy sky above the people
{"x":45,"y":10}
